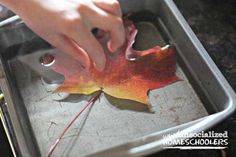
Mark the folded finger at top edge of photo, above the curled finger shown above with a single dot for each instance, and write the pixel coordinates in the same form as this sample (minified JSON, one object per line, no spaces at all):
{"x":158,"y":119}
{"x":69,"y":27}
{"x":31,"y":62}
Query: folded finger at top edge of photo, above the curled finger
{"x":110,"y":6}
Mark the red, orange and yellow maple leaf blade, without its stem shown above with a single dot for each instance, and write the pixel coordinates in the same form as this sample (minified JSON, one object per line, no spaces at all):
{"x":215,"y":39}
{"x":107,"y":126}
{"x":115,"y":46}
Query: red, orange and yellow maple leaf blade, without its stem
{"x":128,"y":74}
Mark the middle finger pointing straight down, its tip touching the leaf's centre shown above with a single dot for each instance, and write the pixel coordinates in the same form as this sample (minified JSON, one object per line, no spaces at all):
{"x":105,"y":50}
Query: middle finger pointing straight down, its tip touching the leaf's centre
{"x":86,"y":40}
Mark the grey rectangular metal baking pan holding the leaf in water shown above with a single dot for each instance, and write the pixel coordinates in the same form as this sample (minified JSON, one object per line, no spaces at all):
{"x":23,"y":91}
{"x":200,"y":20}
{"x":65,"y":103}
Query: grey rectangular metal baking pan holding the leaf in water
{"x":201,"y":100}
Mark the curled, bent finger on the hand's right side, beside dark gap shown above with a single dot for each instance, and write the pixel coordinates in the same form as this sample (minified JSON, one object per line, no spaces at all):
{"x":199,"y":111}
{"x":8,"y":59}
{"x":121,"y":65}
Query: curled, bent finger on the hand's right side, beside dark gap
{"x":112,"y":24}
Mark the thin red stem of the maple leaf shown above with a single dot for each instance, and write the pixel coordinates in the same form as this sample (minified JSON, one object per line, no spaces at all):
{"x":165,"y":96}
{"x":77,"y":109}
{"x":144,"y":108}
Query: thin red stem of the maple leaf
{"x":74,"y":119}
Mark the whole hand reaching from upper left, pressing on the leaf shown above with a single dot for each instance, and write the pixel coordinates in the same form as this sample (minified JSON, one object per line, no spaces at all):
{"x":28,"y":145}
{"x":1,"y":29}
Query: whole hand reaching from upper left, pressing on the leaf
{"x":67,"y":25}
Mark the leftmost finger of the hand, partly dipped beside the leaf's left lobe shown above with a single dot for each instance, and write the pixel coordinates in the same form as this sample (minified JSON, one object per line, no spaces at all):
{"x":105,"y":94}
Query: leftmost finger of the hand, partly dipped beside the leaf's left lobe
{"x":68,"y":46}
